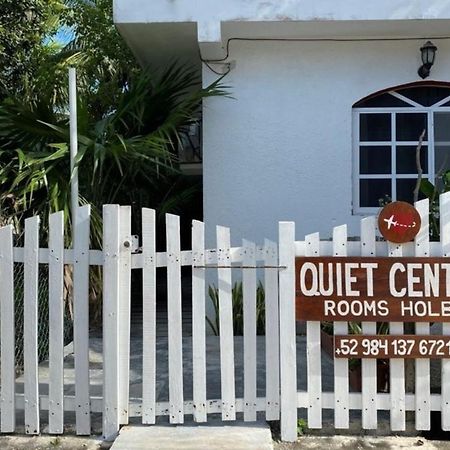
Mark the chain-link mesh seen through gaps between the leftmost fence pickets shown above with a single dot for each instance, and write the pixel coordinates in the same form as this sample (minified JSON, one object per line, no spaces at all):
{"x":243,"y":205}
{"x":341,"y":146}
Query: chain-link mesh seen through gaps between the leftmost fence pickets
{"x":43,"y":315}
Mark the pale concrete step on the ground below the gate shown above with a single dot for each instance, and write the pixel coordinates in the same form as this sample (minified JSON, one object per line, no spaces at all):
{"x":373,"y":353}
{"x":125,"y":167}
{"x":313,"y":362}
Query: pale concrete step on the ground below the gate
{"x":214,"y":436}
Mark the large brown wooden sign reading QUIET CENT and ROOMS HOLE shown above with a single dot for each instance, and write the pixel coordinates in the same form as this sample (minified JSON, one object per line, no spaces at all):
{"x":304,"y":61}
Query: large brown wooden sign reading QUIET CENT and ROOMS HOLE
{"x":373,"y":289}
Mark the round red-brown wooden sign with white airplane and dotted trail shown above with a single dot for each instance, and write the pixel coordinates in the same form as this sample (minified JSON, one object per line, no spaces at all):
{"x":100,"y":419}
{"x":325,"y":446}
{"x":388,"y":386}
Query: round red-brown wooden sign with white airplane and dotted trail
{"x":399,"y":222}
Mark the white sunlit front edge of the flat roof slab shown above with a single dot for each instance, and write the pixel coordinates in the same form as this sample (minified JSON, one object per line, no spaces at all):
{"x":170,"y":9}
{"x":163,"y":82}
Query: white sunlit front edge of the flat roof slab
{"x":145,"y":11}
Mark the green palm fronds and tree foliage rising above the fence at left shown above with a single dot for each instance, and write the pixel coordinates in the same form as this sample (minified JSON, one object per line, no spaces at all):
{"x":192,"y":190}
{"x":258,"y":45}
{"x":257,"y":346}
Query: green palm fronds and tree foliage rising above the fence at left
{"x":130,"y":121}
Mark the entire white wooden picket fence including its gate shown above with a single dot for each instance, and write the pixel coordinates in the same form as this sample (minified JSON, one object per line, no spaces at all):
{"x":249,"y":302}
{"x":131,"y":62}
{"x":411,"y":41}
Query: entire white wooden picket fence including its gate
{"x":274,"y":262}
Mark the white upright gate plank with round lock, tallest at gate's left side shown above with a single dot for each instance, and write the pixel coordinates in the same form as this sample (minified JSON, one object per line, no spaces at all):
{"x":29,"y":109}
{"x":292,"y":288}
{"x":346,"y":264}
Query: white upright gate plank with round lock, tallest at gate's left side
{"x":124,"y":312}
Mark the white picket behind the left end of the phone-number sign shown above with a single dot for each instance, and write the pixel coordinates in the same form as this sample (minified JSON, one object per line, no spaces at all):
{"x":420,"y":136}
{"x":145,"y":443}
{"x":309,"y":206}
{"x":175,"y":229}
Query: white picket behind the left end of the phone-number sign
{"x":341,"y":386}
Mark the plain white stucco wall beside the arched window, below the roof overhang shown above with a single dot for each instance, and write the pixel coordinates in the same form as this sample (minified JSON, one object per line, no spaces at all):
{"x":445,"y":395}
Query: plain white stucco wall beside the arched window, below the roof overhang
{"x":282,"y":149}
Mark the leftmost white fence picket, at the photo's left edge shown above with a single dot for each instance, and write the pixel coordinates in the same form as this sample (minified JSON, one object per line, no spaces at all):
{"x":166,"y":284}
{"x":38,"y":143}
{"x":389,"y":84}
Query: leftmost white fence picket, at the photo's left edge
{"x":7,"y":336}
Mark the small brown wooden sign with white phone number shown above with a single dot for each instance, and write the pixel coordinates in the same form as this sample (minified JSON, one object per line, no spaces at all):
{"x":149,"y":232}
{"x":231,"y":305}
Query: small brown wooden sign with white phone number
{"x":403,"y":346}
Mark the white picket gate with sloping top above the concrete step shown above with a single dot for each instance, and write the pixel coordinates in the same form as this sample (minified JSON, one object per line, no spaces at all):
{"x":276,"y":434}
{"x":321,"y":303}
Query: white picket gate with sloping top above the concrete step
{"x":118,"y":262}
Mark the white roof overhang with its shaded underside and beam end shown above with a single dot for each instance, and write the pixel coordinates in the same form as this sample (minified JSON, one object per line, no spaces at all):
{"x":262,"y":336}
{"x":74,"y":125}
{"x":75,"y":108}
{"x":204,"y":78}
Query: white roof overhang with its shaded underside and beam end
{"x":181,"y":27}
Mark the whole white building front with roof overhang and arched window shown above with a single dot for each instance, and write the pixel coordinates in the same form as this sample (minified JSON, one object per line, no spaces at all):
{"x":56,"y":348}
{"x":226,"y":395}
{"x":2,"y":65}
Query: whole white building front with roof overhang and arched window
{"x":327,"y":104}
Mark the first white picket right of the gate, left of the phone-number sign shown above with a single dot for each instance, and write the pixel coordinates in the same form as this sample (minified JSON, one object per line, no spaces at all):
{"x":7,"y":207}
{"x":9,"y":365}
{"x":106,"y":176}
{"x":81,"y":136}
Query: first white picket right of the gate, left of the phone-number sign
{"x":313,"y":351}
